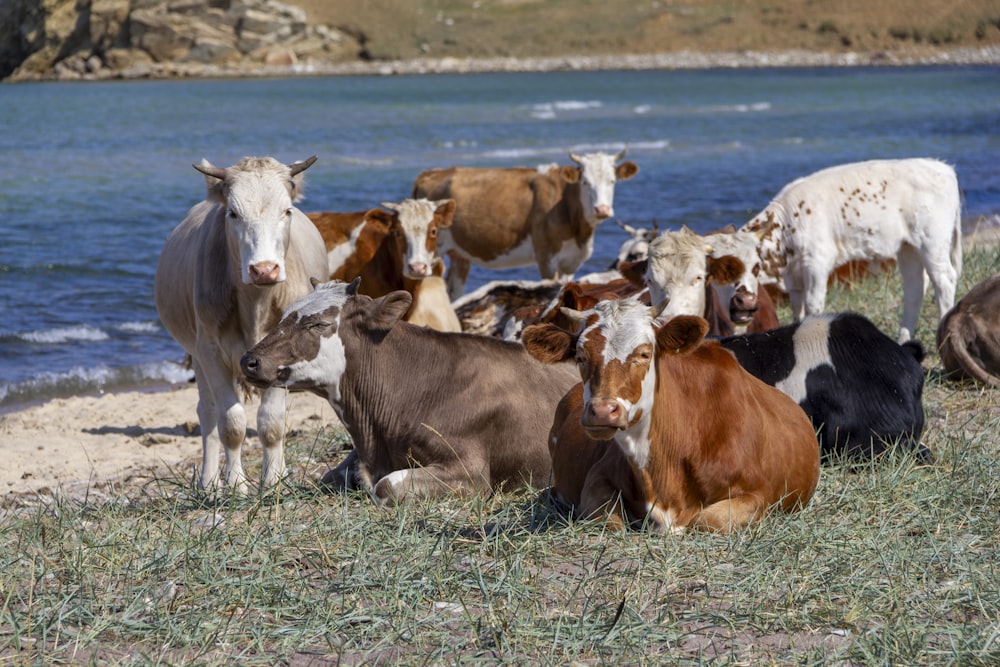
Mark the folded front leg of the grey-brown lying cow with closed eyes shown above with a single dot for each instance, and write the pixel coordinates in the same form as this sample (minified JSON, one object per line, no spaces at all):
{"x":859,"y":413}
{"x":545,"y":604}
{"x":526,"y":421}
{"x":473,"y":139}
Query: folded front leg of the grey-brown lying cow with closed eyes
{"x":429,"y":482}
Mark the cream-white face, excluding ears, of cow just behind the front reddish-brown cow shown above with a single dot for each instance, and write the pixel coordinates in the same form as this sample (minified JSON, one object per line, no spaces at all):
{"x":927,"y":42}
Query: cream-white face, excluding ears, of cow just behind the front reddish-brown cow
{"x":676,"y":272}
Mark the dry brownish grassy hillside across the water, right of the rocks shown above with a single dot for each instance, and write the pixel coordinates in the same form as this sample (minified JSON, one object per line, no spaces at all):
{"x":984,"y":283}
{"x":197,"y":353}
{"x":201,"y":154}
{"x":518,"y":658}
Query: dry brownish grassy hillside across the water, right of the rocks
{"x":521,"y":28}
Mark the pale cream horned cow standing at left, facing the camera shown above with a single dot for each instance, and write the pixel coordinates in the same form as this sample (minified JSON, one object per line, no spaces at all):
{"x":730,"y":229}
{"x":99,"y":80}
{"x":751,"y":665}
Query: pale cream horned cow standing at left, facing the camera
{"x":225,"y":275}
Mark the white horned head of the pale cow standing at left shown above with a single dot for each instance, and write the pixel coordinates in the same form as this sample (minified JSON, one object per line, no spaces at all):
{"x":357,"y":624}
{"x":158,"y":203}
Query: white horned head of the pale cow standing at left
{"x":258,"y":194}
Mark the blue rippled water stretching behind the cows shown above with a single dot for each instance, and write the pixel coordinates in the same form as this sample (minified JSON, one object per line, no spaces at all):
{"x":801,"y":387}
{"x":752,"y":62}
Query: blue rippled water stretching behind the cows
{"x":94,"y":176}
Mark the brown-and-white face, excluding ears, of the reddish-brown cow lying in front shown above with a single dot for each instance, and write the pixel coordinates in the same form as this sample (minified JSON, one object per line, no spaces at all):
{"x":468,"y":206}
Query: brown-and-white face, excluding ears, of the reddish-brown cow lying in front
{"x":616,"y":354}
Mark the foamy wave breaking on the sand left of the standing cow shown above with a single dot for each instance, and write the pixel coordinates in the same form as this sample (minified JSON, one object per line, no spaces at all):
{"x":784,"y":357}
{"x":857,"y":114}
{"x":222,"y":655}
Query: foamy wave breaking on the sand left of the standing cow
{"x":82,"y":380}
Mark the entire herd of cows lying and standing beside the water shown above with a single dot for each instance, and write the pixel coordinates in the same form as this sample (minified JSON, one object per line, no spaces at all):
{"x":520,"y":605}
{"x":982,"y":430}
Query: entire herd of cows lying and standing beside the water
{"x":663,"y":393}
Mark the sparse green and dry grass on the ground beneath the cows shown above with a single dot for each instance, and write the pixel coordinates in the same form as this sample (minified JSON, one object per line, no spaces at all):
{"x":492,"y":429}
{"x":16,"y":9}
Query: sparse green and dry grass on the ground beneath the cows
{"x":890,"y":564}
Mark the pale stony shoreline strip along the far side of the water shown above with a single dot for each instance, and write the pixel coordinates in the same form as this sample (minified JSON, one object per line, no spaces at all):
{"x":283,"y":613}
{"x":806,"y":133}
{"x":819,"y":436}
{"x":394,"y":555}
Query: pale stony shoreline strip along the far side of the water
{"x":676,"y":60}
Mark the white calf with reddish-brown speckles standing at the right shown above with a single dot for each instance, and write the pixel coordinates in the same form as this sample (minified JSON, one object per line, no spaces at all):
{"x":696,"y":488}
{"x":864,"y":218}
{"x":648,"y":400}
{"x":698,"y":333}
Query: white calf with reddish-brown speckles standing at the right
{"x":909,"y":210}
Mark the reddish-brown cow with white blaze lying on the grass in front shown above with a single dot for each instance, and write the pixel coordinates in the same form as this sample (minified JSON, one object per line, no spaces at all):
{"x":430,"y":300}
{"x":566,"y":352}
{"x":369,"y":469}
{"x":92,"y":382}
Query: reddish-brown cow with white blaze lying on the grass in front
{"x":700,"y":442}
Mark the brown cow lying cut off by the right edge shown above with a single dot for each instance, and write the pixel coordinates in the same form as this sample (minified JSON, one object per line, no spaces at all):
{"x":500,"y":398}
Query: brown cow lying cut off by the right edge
{"x":968,"y":336}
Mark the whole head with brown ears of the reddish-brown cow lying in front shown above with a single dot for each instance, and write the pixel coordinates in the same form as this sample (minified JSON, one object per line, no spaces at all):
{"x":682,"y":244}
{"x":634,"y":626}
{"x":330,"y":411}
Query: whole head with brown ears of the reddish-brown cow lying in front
{"x":616,"y":352}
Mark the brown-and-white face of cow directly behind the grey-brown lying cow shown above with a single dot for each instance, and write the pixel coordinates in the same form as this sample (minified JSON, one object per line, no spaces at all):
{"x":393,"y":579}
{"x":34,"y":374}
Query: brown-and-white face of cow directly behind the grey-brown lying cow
{"x":416,"y":233}
